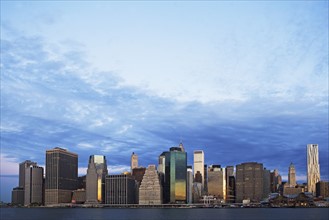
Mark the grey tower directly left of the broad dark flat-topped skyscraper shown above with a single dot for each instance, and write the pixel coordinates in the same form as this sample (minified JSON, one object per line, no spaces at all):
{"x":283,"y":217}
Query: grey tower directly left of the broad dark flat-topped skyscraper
{"x":33,"y":185}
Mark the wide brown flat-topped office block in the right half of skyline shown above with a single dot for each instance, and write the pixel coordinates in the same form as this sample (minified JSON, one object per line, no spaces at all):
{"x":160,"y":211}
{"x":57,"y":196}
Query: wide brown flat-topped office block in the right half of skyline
{"x":249,"y":181}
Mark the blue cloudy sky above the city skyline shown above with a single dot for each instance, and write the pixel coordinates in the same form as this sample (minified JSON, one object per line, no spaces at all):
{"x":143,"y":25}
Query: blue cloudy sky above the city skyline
{"x":242,"y":81}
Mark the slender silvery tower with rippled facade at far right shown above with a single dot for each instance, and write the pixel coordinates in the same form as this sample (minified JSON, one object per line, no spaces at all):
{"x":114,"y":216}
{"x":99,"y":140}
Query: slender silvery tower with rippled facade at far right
{"x":313,"y":167}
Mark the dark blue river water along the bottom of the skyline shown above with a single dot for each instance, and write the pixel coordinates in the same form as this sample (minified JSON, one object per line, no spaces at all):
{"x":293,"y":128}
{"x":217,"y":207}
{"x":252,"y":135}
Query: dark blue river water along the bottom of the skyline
{"x":162,"y":214}
